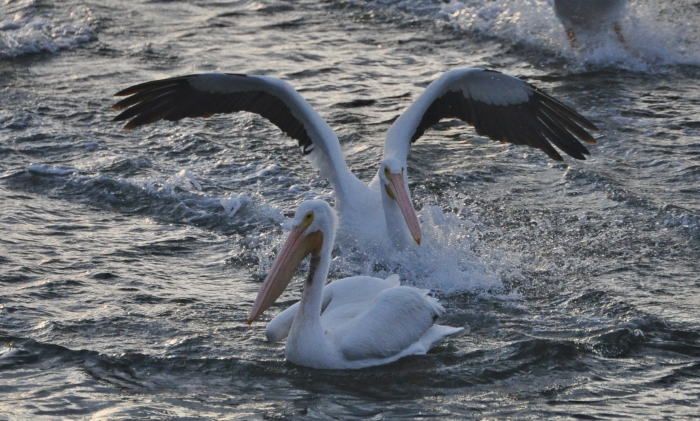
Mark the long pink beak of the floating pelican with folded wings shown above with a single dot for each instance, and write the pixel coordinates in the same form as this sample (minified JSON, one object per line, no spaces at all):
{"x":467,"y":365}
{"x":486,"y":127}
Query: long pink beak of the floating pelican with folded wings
{"x":295,"y":249}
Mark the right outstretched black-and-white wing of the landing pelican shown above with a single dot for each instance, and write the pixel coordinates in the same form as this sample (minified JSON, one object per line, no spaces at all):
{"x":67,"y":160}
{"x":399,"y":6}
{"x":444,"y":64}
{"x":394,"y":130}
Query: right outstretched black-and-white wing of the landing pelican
{"x":500,"y":107}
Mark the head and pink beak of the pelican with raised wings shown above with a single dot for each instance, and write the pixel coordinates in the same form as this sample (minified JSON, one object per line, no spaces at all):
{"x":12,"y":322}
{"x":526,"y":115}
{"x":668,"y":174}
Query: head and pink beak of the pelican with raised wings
{"x":393,"y":178}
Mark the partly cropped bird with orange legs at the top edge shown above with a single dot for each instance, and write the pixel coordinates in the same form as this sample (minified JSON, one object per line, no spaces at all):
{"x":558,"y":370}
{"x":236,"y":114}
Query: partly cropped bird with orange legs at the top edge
{"x":587,"y":15}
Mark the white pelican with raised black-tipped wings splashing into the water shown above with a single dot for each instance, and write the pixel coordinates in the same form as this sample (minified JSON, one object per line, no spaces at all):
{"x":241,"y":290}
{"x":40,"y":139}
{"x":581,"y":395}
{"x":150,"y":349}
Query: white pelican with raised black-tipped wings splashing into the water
{"x":499,"y":106}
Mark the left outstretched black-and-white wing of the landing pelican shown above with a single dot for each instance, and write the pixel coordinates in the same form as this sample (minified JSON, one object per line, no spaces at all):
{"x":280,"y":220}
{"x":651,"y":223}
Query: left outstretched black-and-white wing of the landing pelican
{"x":203,"y":95}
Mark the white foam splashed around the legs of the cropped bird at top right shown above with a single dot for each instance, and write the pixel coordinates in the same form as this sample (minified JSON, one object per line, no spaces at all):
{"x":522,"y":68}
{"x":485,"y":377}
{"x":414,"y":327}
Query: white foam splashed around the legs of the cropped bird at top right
{"x":655,"y":35}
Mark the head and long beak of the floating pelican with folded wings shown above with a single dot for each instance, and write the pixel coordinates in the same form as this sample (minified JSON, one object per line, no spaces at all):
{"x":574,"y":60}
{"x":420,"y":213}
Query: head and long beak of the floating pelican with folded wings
{"x":313,"y":227}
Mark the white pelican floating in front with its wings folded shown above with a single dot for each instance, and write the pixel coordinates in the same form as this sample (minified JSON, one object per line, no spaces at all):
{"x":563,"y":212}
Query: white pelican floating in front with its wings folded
{"x":362,"y":321}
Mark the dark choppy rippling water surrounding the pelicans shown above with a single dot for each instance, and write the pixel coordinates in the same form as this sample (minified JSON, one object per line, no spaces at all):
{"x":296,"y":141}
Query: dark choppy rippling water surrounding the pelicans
{"x":129,"y":260}
